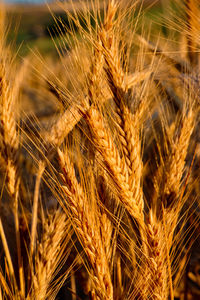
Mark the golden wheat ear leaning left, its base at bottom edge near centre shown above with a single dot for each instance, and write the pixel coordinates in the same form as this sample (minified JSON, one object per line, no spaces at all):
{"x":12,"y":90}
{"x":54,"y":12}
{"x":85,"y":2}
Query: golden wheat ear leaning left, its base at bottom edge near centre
{"x":87,"y":229}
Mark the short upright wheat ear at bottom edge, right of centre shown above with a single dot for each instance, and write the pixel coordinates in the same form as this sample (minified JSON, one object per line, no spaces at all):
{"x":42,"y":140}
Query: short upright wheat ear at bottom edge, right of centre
{"x":153,"y":278}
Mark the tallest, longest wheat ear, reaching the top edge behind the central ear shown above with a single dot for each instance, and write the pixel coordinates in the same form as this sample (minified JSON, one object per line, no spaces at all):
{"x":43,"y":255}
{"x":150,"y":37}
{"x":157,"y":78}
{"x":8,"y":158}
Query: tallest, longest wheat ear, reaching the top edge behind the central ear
{"x":127,"y":123}
